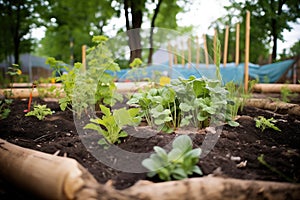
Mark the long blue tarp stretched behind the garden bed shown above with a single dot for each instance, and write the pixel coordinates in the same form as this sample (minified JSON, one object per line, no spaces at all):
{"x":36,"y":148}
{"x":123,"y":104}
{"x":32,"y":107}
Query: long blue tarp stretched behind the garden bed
{"x":269,"y":73}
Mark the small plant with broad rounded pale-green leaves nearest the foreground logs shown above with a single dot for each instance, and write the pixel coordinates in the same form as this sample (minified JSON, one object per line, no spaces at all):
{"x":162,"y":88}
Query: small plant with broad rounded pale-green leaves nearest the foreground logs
{"x":178,"y":164}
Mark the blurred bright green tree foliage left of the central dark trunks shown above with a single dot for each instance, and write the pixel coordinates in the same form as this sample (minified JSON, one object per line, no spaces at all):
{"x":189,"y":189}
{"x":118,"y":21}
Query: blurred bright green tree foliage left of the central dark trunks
{"x":73,"y":22}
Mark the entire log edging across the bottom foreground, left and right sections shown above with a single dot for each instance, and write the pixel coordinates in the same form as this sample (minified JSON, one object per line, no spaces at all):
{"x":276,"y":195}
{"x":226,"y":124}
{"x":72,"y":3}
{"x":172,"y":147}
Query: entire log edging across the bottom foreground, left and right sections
{"x":53,"y":177}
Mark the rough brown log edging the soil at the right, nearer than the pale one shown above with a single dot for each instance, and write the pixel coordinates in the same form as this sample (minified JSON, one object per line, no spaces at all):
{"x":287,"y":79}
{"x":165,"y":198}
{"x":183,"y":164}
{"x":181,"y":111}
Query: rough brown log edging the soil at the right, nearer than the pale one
{"x":276,"y":106}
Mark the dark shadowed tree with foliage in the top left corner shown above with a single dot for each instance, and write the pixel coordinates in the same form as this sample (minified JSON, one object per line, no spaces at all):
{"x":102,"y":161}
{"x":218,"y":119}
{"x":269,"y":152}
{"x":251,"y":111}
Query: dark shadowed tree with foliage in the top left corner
{"x":17,"y":18}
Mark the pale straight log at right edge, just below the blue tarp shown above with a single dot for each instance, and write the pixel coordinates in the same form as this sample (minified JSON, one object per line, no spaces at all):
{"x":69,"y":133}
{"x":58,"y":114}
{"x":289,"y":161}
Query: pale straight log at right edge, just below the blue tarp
{"x":275,"y":88}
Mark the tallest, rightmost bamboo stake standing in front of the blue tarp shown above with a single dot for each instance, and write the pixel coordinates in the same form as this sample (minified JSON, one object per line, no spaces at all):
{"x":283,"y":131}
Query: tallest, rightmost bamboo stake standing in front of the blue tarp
{"x":247,"y":46}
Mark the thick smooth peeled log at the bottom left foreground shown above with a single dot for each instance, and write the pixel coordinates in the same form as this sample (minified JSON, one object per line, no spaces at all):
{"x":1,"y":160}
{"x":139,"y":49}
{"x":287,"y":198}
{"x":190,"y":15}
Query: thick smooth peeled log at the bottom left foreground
{"x":45,"y":175}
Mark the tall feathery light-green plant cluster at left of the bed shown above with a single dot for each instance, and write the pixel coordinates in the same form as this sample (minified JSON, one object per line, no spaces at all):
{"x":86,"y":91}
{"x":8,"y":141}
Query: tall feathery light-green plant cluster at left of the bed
{"x":84,"y":88}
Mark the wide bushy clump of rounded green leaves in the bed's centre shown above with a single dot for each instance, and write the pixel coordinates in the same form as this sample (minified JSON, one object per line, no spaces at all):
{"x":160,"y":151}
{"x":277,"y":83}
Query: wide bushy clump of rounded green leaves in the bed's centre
{"x":196,"y":102}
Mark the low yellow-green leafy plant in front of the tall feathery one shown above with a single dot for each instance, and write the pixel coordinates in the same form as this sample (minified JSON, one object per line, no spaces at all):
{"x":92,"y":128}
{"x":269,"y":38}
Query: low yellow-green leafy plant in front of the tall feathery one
{"x":113,"y":123}
